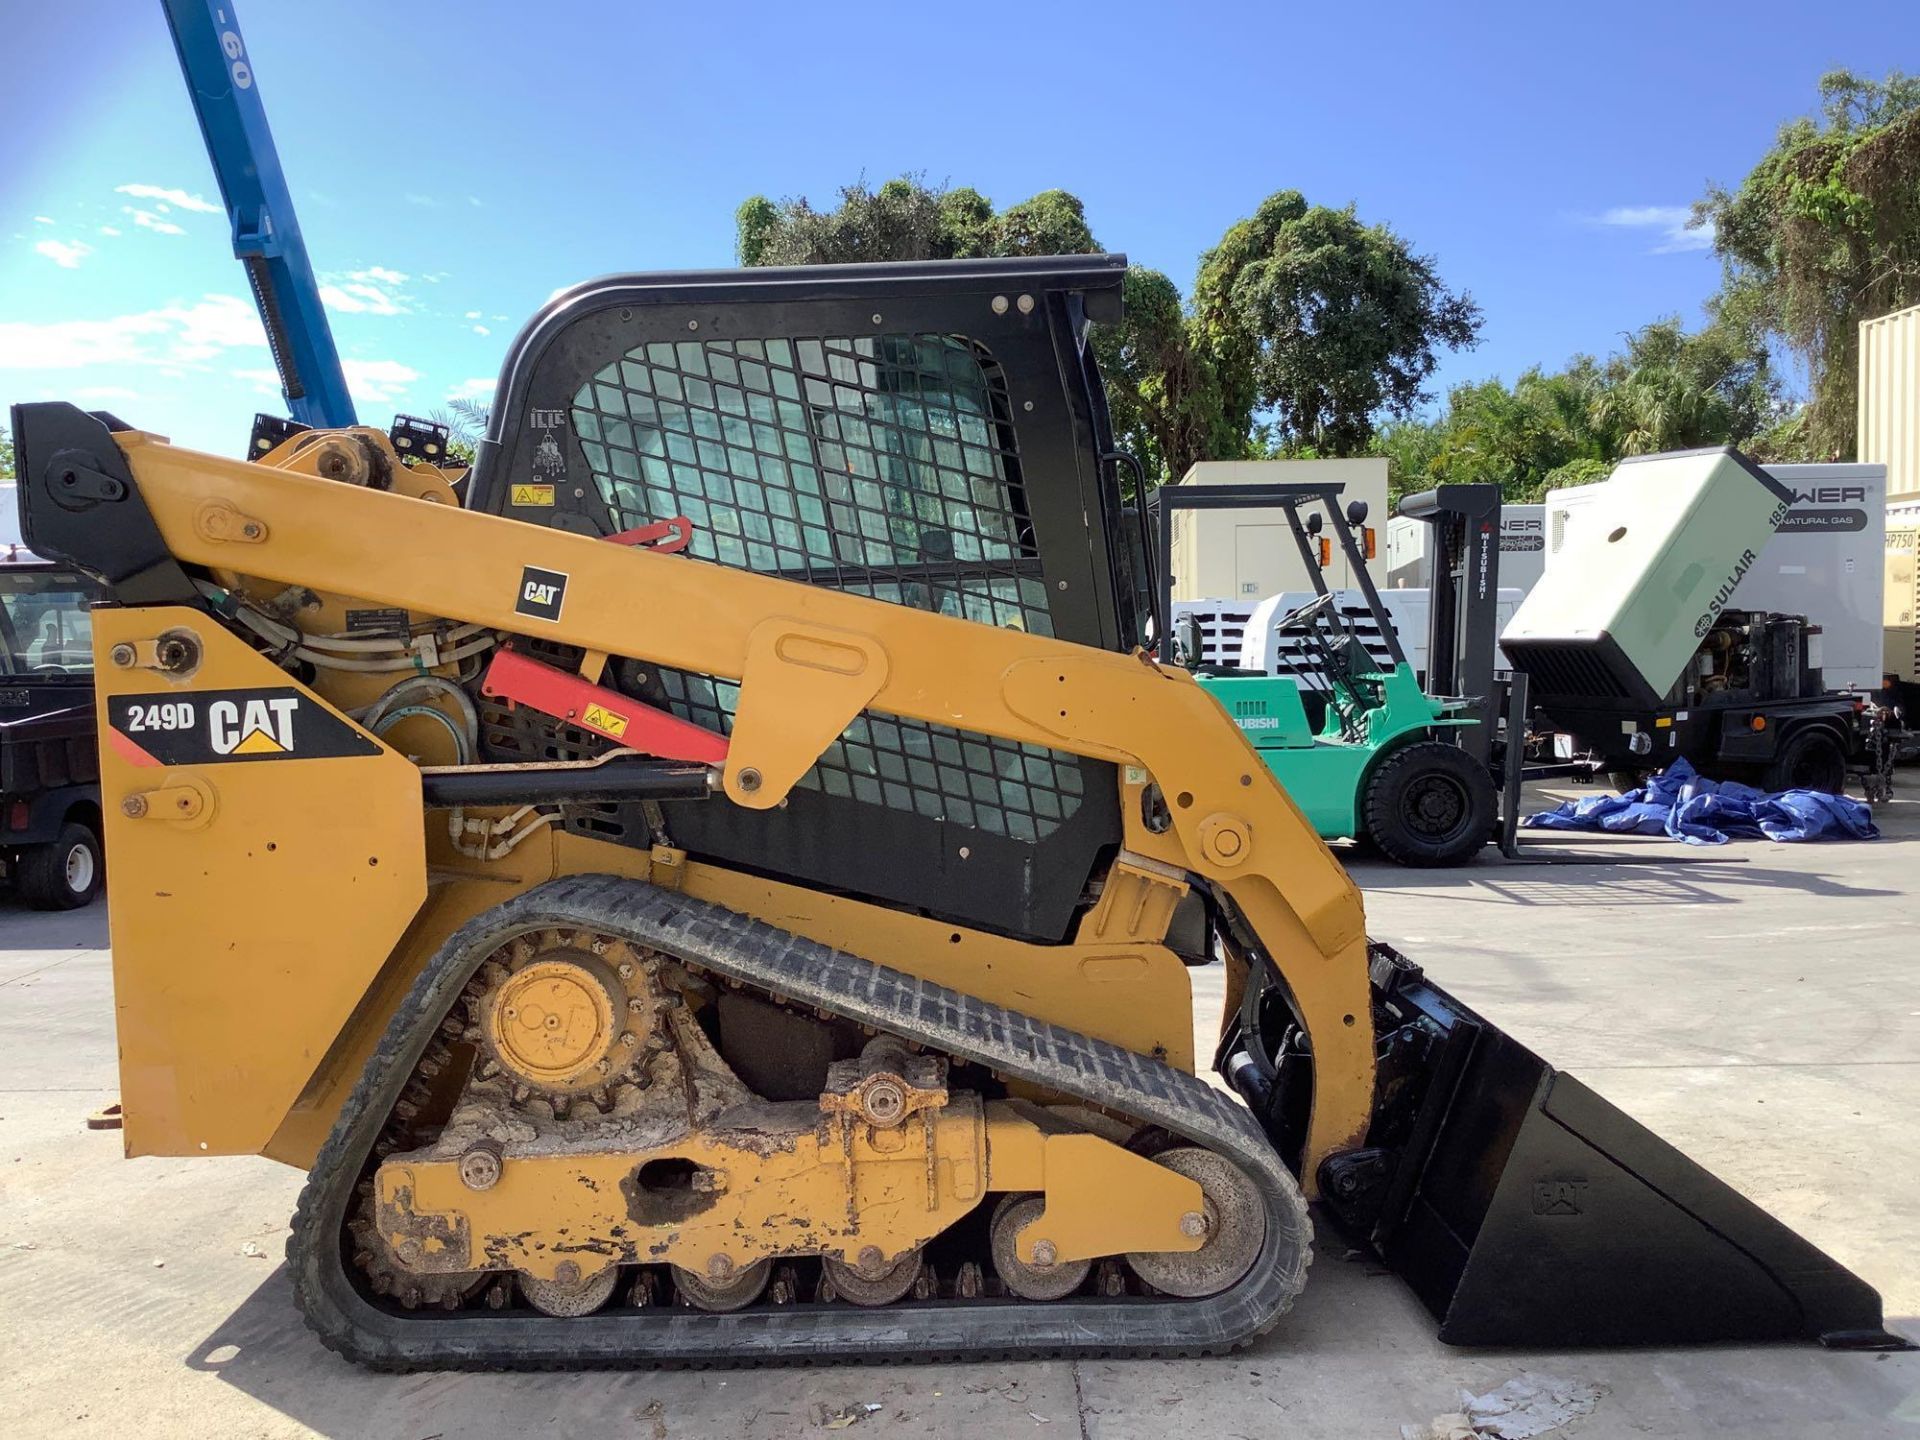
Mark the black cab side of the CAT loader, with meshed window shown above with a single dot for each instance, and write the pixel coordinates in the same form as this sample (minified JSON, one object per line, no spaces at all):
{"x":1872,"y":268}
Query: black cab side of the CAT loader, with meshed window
{"x":926,"y":435}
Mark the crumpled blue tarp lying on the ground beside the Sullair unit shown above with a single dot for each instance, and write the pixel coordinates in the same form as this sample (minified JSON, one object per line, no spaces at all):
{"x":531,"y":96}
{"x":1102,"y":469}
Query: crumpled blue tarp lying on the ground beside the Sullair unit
{"x":1685,"y":805}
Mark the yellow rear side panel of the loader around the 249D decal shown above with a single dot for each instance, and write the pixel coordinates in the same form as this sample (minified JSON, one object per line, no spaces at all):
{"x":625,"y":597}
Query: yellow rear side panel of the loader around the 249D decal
{"x":256,"y":880}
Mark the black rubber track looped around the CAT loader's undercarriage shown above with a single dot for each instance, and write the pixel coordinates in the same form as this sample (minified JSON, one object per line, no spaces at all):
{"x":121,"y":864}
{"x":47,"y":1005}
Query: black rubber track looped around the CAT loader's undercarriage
{"x":771,"y":959}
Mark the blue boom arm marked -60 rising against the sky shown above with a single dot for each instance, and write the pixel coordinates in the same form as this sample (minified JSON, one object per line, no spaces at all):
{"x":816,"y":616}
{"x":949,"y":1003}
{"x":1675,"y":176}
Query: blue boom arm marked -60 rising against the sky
{"x":268,"y":243}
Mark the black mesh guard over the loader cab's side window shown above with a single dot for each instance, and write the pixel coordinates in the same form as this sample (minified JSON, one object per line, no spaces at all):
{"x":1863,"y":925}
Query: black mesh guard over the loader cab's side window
{"x":880,"y":466}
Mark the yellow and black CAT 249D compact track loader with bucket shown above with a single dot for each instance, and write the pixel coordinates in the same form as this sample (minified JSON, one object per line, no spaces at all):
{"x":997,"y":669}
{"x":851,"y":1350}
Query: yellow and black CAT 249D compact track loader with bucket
{"x":721,"y":890}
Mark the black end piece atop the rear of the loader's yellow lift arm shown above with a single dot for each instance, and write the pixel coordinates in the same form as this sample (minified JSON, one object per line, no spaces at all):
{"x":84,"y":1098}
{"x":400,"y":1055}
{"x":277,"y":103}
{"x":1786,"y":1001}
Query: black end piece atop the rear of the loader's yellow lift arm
{"x":80,"y":506}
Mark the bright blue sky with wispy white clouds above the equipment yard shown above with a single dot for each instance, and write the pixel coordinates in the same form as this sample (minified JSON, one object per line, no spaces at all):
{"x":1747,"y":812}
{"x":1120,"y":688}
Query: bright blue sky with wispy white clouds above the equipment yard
{"x":454,"y":164}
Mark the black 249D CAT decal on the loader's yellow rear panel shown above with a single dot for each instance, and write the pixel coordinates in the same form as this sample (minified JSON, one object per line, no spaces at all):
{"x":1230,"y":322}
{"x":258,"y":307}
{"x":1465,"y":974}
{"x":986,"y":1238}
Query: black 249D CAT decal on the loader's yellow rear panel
{"x":218,"y":727}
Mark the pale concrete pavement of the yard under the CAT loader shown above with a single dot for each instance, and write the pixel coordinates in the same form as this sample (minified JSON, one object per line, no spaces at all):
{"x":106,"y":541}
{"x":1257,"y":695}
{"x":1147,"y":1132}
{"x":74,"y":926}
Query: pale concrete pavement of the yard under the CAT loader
{"x":1754,"y":1005}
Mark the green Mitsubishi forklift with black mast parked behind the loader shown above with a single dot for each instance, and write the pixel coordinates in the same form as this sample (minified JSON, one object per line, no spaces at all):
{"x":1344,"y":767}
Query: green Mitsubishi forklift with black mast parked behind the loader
{"x":1360,"y":746}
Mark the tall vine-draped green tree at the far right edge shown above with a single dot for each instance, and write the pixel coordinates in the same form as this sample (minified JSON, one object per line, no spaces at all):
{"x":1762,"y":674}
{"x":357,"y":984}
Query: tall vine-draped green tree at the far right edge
{"x":1825,"y":233}
